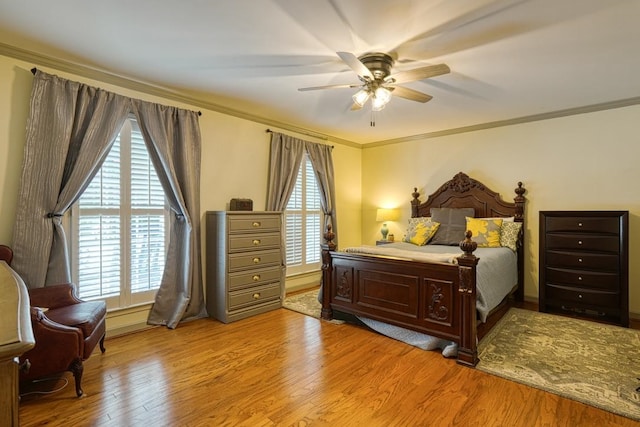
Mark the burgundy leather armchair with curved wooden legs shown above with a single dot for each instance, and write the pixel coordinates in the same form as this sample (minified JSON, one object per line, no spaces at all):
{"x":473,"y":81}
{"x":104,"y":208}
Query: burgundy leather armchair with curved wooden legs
{"x":66,"y":330}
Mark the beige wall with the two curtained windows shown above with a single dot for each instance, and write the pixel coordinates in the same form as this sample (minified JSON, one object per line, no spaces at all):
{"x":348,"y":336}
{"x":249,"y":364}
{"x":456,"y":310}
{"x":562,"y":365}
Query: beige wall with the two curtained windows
{"x":235,"y":157}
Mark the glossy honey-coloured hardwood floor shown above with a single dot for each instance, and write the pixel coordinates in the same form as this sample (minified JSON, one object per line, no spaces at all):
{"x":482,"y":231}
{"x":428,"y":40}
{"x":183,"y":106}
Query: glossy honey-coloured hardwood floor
{"x":282,"y":368}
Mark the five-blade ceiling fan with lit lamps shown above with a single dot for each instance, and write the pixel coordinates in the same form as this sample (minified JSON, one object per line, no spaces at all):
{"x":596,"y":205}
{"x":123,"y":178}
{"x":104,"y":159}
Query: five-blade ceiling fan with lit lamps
{"x":377,"y":82}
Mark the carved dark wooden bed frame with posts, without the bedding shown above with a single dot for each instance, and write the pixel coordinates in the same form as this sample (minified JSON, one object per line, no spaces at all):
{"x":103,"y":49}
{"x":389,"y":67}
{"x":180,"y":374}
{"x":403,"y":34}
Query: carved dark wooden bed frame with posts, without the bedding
{"x":432,"y":298}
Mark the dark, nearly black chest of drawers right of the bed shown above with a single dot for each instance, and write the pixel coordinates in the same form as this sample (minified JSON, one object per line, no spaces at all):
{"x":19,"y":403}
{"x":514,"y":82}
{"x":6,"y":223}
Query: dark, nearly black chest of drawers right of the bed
{"x":584,"y":264}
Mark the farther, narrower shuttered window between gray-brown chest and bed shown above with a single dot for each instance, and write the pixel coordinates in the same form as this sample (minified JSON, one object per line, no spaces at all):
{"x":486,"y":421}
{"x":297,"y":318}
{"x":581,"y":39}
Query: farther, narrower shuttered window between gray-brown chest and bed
{"x":303,"y":219}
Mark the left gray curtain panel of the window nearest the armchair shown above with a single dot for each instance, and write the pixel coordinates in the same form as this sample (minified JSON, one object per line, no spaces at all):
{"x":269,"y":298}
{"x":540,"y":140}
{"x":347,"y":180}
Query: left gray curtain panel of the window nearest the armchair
{"x":70,"y":131}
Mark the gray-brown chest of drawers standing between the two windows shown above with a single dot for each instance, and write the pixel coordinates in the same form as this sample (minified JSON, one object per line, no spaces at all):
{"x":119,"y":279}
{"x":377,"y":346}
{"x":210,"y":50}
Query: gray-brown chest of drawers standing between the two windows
{"x":245,"y":266}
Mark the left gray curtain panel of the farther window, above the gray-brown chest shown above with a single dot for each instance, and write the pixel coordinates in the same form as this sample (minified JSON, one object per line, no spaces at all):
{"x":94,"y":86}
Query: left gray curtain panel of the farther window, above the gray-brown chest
{"x":284,"y":163}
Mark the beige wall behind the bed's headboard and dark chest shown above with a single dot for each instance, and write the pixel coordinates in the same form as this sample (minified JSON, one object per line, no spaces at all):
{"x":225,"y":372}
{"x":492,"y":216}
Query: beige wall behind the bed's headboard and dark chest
{"x":586,"y":161}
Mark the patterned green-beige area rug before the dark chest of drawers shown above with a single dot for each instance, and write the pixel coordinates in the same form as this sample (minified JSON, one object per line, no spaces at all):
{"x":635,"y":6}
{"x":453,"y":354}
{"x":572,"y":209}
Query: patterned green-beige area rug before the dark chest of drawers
{"x":593,"y":363}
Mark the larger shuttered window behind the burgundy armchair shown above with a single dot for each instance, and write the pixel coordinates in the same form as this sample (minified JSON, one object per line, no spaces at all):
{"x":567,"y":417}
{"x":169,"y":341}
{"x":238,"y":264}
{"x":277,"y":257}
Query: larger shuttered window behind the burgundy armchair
{"x":119,"y":232}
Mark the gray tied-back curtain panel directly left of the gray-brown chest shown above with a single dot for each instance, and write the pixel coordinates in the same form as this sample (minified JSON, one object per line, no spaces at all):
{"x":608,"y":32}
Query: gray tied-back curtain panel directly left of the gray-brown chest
{"x":172,"y":137}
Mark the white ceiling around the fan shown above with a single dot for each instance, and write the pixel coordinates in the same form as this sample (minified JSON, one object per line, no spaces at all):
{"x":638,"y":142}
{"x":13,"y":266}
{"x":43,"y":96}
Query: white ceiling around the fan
{"x":509,"y":58}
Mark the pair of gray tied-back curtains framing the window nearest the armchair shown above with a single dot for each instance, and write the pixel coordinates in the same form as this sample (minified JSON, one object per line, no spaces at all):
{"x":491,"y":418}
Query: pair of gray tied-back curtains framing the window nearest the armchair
{"x":70,"y":131}
